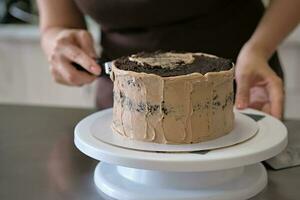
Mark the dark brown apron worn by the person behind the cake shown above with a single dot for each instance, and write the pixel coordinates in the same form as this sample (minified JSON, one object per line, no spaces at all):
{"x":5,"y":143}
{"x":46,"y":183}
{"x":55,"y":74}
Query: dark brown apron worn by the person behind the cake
{"x":219,"y":27}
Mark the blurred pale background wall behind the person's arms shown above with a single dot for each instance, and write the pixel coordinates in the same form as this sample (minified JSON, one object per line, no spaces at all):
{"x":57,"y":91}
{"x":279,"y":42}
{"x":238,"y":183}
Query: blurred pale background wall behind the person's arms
{"x":25,"y":78}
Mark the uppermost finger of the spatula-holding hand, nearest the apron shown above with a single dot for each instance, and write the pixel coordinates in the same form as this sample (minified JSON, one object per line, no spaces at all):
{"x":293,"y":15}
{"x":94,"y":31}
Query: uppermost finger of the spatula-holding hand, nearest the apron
{"x":86,"y":43}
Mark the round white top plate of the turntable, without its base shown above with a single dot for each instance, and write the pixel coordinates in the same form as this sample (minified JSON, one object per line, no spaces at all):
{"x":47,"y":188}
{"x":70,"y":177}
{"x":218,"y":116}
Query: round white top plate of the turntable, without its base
{"x":270,"y":139}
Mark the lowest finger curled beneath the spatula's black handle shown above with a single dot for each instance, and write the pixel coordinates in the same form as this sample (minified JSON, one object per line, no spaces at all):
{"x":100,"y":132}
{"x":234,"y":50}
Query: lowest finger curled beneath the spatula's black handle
{"x":71,"y":76}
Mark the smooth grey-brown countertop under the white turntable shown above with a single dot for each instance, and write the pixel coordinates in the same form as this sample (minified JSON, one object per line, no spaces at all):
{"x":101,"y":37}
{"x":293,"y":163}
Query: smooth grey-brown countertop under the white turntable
{"x":38,"y":159}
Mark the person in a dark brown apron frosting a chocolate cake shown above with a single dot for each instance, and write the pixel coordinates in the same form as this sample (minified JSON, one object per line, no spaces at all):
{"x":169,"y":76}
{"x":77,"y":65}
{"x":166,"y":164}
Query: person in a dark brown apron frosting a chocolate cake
{"x":232,"y":29}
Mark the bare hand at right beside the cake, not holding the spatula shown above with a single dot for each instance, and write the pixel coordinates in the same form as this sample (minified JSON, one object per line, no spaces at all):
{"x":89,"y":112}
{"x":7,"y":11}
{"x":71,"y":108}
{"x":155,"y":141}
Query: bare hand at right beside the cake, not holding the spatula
{"x":258,"y":86}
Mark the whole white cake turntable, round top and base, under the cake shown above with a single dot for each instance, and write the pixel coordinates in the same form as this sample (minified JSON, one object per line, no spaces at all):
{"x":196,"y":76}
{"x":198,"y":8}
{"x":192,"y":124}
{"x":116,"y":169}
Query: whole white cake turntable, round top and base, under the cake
{"x":229,"y":173}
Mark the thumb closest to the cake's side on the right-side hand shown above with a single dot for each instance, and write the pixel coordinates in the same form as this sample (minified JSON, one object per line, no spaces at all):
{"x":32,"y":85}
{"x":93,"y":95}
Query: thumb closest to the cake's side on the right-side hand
{"x":243,"y":91}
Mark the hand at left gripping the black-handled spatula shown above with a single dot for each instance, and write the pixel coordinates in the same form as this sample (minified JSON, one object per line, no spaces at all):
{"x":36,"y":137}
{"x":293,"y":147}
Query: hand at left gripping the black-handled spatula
{"x":66,"y":46}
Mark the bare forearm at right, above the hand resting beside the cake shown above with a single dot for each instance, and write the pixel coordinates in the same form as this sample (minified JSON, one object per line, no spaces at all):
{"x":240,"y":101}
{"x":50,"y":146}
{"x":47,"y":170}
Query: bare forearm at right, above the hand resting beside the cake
{"x":280,"y":19}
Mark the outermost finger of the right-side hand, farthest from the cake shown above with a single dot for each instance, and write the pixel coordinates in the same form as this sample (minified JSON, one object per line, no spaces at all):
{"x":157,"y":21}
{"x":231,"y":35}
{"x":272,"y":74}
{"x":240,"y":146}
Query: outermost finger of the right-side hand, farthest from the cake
{"x":276,"y":96}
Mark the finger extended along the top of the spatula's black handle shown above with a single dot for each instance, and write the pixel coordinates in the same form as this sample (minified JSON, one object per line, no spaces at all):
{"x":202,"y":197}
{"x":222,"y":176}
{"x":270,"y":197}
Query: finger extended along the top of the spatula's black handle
{"x":75,"y":54}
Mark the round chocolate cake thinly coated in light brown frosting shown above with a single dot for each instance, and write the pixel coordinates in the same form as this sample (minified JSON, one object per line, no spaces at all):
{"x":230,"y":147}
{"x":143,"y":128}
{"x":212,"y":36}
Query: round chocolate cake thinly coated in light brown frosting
{"x":172,"y":98}
